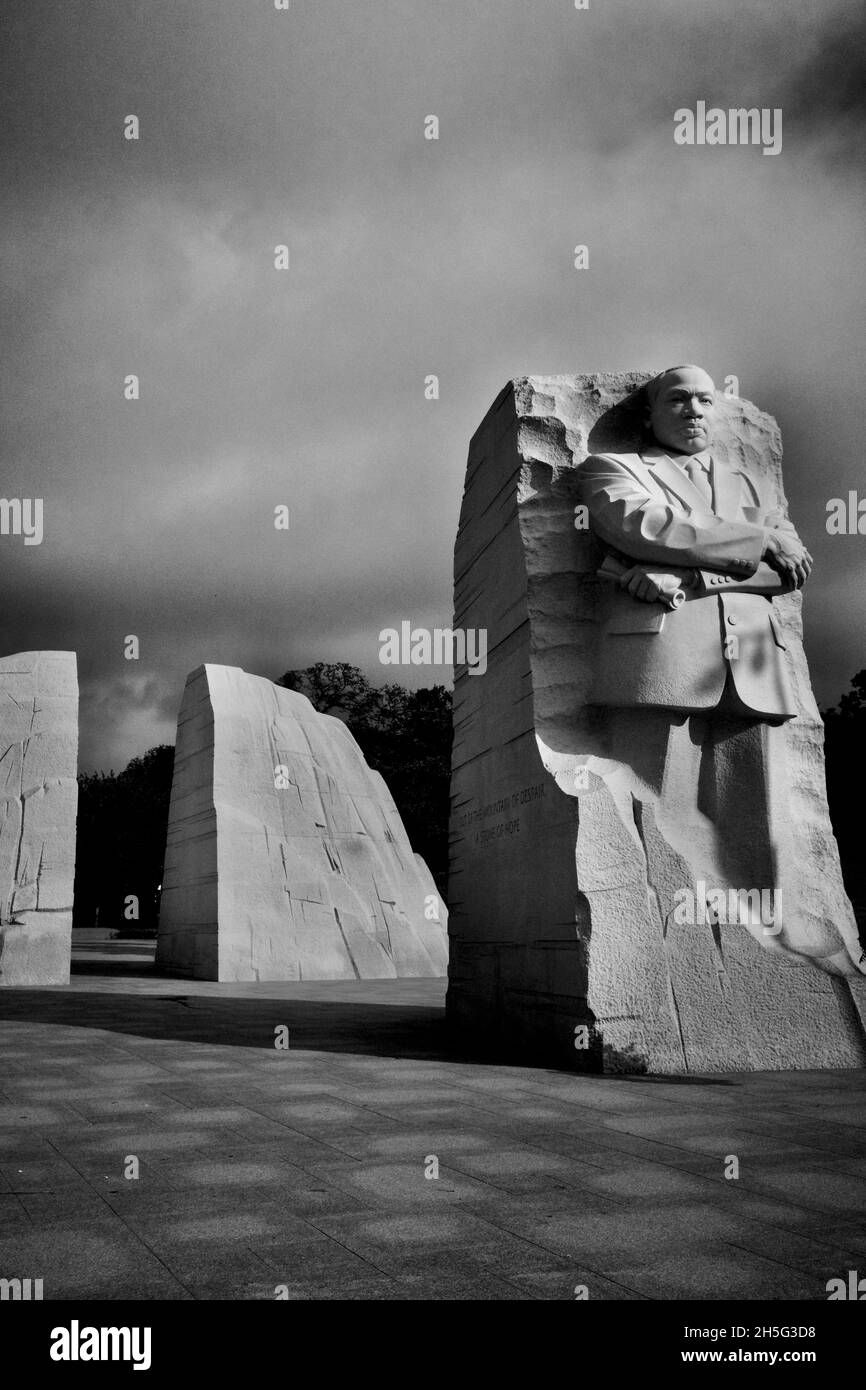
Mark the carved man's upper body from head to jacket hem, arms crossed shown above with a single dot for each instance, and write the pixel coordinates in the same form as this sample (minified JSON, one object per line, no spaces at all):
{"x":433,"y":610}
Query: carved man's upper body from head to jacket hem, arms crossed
{"x":680,"y":523}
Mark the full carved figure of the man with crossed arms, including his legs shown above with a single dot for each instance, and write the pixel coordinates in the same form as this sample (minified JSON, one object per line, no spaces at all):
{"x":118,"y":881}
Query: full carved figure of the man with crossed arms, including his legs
{"x":690,"y":669}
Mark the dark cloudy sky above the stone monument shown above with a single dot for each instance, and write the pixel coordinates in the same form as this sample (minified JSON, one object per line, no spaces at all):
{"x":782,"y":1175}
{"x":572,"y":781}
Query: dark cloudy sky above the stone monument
{"x":409,"y":258}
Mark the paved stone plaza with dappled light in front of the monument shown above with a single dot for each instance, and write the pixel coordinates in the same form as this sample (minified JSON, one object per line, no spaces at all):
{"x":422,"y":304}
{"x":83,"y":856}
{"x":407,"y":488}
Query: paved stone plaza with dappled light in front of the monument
{"x":302,"y":1170}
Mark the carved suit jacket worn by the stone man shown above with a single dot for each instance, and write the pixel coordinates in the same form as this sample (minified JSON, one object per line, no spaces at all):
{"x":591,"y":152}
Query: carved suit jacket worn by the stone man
{"x":644,"y":508}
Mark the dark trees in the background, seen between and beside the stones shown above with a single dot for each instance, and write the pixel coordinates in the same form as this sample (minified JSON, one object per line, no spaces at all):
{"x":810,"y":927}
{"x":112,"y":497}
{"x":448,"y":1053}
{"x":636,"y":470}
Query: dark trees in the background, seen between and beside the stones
{"x":407,"y":736}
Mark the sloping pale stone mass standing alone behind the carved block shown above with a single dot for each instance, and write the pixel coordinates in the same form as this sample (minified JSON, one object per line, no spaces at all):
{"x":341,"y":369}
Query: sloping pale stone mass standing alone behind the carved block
{"x":309,"y":881}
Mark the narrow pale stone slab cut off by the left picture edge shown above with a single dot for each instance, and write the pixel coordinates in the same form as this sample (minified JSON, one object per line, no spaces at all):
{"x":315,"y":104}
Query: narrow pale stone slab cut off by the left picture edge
{"x":38,"y":808}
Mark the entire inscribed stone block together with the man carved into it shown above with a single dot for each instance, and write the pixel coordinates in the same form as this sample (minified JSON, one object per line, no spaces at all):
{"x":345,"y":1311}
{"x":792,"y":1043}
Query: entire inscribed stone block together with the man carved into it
{"x":643,"y":867}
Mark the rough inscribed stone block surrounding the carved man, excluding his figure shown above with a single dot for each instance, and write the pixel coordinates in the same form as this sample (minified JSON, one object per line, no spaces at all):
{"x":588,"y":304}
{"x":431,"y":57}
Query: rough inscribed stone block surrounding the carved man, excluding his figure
{"x":562,"y":878}
